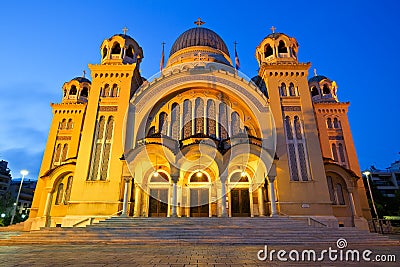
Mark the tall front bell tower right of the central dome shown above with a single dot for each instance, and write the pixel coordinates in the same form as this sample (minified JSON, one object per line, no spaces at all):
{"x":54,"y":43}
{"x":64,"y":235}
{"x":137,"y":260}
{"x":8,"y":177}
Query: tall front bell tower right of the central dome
{"x":285,"y":79}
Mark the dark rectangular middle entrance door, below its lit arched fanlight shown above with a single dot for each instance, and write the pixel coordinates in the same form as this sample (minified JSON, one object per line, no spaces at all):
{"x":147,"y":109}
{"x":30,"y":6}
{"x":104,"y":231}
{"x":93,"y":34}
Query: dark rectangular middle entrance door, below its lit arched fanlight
{"x":199,"y":202}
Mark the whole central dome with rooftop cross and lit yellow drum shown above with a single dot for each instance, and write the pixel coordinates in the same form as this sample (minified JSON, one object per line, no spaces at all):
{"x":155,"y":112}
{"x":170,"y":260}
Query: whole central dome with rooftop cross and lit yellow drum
{"x":201,"y":44}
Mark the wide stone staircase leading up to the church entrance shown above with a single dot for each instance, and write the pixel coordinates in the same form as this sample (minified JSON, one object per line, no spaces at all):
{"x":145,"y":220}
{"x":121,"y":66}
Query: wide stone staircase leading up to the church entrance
{"x":233,"y":231}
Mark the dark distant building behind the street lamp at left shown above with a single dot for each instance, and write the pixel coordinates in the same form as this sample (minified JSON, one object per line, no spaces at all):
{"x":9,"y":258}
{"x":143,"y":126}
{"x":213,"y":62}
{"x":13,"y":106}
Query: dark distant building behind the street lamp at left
{"x":26,"y":195}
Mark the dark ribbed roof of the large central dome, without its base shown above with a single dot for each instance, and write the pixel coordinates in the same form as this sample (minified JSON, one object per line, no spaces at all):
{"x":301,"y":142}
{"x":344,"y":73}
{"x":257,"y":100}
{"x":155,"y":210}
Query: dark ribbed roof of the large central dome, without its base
{"x":199,"y":36}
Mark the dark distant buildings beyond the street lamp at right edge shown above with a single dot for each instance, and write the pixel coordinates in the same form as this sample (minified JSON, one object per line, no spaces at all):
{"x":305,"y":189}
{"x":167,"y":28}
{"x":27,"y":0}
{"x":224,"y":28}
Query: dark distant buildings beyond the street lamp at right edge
{"x":386,"y":181}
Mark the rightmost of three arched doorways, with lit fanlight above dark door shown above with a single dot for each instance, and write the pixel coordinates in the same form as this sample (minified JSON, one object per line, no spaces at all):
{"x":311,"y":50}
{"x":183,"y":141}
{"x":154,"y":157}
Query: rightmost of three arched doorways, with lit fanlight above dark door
{"x":239,"y":195}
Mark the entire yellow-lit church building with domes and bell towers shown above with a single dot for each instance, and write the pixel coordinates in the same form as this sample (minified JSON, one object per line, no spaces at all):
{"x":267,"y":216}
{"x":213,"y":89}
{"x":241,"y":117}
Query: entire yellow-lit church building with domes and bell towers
{"x":199,"y":139}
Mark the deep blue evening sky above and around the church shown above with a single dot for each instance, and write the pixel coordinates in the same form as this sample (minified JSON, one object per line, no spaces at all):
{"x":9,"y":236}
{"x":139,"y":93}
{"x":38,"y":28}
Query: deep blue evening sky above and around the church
{"x":43,"y":44}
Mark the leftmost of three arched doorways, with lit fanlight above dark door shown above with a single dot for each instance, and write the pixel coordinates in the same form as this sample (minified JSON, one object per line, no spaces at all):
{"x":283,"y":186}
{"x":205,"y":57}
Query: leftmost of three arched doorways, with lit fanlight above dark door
{"x":158,"y":195}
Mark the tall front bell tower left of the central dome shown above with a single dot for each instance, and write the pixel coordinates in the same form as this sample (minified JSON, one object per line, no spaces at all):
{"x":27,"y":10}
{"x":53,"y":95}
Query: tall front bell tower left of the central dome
{"x":99,"y":162}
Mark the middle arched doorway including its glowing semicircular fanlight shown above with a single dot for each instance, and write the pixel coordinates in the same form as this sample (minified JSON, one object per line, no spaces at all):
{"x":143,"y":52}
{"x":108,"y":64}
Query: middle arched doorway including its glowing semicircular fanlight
{"x":199,"y":185}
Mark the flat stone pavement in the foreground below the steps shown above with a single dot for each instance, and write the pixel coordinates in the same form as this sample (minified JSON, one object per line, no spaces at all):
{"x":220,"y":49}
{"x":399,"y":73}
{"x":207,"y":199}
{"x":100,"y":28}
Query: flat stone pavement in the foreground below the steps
{"x":157,"y":255}
